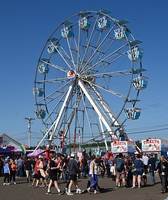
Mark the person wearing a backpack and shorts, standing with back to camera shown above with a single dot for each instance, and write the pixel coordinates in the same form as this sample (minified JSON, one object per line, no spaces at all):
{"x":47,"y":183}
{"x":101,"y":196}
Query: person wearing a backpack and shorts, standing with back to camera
{"x":120,"y":167}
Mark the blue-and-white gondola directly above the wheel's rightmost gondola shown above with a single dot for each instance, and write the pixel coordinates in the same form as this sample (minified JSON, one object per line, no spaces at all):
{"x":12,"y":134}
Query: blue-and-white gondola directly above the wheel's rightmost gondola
{"x":135,"y":54}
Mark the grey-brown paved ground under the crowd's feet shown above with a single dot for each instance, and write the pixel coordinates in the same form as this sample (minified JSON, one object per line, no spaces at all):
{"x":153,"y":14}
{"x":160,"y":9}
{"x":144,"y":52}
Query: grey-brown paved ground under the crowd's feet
{"x":22,"y":191}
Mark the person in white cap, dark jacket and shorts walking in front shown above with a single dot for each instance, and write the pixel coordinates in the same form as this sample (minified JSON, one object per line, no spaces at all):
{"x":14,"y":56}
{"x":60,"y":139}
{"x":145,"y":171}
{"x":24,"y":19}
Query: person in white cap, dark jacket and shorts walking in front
{"x":73,"y":170}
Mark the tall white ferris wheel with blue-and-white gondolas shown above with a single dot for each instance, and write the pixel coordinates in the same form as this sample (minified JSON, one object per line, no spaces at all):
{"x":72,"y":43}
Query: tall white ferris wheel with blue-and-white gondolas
{"x":88,"y":78}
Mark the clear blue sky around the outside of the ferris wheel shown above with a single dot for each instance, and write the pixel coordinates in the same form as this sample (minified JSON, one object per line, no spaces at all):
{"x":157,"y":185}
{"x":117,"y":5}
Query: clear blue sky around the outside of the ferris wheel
{"x":25,"y":27}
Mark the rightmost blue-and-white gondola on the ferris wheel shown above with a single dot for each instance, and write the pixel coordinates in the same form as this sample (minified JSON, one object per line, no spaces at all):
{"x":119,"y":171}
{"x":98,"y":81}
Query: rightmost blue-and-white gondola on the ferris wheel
{"x":140,"y":82}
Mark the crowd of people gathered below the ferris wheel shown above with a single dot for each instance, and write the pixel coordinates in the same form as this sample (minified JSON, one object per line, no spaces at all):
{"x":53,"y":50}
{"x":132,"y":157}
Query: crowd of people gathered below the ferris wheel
{"x":126,"y":171}
